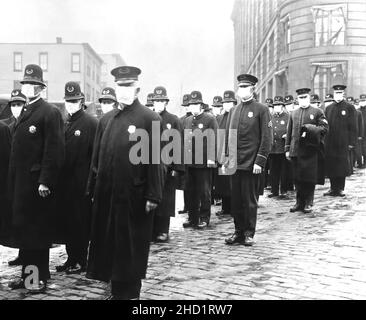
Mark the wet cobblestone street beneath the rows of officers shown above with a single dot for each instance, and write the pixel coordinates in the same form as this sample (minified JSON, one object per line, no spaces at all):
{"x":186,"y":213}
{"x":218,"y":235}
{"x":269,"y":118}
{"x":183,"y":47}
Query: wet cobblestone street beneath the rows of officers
{"x":296,"y":256}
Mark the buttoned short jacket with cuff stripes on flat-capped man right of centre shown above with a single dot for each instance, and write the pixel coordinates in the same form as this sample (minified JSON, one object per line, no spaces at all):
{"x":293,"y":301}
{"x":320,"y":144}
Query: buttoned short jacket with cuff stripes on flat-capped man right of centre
{"x":253,"y":123}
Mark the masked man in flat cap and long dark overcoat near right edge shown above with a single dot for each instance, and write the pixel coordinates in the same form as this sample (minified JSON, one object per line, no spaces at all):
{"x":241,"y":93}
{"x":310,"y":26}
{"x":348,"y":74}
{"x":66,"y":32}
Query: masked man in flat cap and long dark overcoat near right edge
{"x":342,"y":137}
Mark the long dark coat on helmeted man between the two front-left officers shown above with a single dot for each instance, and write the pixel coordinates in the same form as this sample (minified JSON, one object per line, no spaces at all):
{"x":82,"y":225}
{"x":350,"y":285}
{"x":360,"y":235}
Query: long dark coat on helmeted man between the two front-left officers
{"x":74,"y":206}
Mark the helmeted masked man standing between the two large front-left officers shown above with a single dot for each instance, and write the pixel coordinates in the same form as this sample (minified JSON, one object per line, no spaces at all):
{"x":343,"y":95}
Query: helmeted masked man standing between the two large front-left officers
{"x":74,"y":205}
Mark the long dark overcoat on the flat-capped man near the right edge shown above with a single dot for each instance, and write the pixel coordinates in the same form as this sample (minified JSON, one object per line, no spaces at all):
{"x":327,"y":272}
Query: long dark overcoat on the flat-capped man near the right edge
{"x":342,"y":134}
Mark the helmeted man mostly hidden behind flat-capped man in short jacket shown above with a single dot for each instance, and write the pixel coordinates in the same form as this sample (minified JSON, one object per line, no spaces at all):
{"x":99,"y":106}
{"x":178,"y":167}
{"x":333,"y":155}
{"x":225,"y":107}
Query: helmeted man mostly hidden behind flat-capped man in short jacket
{"x":223,"y":183}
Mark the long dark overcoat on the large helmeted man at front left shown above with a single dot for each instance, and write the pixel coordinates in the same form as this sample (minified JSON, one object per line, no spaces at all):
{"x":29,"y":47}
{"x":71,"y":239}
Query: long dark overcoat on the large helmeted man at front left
{"x":37,"y":155}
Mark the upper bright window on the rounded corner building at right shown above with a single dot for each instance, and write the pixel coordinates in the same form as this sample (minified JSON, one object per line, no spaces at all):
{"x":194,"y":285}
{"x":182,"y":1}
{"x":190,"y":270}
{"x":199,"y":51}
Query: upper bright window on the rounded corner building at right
{"x":330,"y":25}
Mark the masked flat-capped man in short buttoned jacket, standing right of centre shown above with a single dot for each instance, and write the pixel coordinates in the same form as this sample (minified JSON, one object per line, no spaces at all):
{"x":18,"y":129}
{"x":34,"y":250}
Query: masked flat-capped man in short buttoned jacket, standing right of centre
{"x":248,"y":150}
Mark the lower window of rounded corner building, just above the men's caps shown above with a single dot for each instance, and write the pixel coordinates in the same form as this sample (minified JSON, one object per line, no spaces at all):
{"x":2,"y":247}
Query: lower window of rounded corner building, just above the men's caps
{"x":327,"y":74}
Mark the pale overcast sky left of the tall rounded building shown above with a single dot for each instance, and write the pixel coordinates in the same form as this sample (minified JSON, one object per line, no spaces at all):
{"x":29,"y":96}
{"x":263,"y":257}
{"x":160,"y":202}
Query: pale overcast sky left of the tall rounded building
{"x":183,"y":45}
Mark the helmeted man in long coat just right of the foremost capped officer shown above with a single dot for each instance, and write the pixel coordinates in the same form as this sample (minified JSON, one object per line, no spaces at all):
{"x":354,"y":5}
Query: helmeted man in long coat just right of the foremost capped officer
{"x":166,"y":208}
